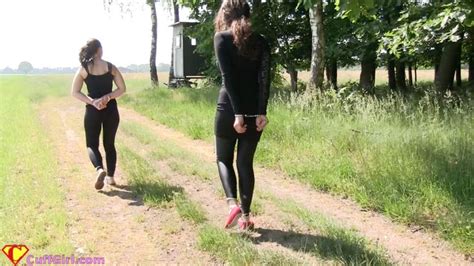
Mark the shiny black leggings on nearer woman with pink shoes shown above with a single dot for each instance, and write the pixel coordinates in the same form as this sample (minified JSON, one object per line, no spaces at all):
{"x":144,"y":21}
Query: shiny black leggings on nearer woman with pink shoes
{"x":246,"y":147}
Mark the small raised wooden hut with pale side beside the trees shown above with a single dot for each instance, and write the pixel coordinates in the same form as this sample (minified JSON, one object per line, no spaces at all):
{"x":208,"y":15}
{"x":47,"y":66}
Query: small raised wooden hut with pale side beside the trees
{"x":187,"y":63}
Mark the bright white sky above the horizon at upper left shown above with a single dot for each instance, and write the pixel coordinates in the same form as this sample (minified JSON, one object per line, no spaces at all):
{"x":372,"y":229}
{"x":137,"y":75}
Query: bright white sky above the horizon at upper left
{"x":49,"y":33}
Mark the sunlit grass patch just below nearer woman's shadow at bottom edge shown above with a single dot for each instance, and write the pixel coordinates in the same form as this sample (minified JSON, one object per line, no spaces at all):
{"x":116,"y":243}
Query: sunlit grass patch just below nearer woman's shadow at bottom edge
{"x":237,"y":249}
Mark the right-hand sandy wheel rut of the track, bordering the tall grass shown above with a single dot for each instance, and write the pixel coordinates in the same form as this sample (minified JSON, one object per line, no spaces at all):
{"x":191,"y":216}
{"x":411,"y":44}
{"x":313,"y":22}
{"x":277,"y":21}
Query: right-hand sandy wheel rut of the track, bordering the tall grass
{"x":403,"y":246}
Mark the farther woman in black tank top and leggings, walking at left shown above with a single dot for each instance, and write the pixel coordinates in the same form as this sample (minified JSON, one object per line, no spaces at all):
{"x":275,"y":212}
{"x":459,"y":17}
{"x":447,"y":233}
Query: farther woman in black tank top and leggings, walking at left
{"x":101,"y":107}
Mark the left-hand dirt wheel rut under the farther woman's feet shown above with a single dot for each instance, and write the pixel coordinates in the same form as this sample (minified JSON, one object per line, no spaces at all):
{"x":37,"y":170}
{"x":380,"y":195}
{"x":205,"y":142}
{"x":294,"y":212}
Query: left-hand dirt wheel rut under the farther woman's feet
{"x":112,"y":223}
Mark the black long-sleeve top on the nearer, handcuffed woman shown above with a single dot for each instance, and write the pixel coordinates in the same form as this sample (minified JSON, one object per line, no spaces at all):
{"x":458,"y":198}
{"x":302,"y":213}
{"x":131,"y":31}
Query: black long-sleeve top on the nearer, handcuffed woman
{"x":245,"y":80}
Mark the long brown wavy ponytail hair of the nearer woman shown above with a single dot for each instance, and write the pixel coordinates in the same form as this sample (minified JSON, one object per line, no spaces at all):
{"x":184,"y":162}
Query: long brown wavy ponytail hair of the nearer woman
{"x":234,"y":15}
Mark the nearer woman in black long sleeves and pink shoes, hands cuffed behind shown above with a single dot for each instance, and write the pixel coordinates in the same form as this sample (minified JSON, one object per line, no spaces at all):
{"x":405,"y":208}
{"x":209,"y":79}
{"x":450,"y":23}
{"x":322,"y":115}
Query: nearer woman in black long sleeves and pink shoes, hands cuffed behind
{"x":244,"y":61}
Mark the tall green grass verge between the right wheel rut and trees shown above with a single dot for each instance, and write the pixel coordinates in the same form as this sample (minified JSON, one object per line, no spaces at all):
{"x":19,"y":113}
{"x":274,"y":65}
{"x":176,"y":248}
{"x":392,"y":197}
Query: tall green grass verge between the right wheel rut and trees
{"x":409,"y":157}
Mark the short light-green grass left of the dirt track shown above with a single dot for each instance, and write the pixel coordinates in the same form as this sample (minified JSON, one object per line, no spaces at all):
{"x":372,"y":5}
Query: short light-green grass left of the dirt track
{"x":32,"y":210}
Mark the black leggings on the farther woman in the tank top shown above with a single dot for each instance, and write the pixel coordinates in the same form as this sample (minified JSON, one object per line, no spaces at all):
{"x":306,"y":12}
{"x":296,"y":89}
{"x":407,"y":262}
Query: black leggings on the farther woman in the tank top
{"x":94,"y":120}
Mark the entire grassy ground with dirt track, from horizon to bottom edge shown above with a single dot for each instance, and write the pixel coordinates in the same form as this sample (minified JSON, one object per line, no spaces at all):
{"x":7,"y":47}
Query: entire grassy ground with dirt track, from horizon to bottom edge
{"x":330,"y":171}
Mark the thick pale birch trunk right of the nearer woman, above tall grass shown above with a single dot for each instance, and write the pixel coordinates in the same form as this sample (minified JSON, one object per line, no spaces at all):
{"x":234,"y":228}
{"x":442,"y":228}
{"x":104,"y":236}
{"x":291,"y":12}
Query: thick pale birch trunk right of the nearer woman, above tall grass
{"x":317,"y":47}
